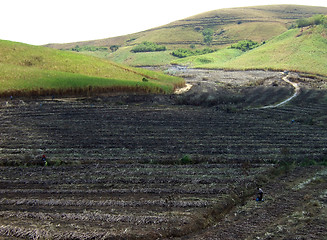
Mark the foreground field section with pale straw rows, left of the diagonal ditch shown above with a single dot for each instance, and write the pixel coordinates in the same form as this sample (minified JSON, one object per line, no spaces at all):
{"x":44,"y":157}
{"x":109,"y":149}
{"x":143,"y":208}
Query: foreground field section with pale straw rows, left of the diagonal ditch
{"x":113,"y":200}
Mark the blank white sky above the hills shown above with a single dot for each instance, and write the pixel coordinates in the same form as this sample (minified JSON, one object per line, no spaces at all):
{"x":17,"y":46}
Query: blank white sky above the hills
{"x":39,"y":22}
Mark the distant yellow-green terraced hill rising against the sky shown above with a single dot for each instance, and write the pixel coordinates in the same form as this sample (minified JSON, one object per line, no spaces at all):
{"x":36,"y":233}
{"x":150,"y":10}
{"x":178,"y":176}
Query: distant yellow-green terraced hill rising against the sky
{"x":258,"y":23}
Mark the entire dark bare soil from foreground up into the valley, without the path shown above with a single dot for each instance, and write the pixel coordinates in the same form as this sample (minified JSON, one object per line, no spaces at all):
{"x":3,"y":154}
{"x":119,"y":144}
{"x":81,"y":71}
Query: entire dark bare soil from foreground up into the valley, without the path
{"x":164,"y":166}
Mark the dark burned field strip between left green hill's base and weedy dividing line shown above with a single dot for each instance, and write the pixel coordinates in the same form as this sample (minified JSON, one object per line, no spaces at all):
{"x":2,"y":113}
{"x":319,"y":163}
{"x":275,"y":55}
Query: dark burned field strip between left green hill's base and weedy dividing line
{"x":96,"y":133}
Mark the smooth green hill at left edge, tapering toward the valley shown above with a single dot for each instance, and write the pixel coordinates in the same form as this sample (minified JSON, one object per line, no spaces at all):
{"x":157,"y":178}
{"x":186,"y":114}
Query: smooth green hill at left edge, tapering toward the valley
{"x":26,"y":69}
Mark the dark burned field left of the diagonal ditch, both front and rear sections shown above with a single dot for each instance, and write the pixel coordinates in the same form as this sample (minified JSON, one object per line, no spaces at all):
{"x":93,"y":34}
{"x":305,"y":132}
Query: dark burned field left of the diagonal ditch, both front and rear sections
{"x":143,"y":169}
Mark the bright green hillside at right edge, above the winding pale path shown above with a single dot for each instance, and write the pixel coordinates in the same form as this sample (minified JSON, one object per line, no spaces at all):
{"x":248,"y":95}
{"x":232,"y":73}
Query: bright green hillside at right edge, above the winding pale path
{"x":302,"y":50}
